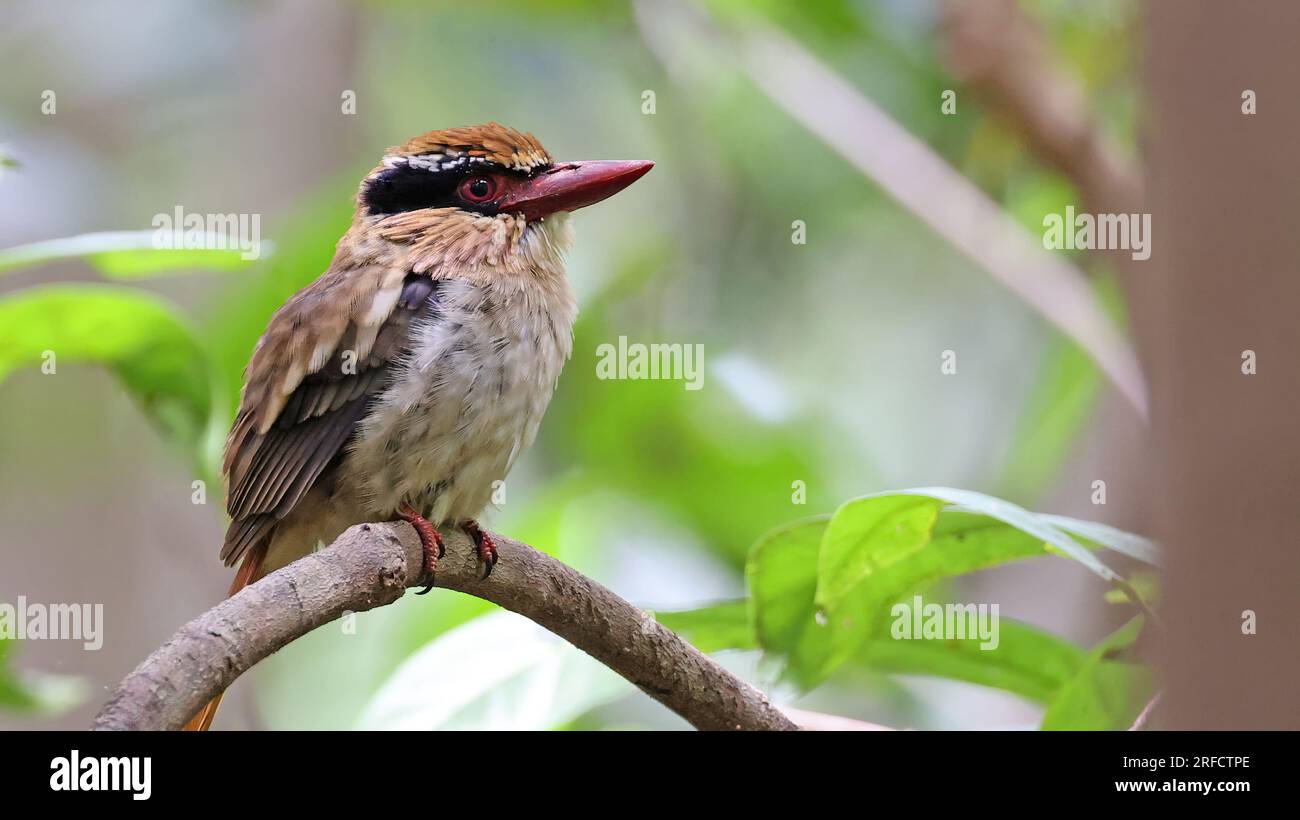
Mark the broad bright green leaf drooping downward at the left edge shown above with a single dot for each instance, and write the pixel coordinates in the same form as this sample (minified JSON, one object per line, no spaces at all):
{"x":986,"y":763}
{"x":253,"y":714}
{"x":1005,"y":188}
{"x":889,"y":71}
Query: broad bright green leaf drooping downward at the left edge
{"x":138,"y":336}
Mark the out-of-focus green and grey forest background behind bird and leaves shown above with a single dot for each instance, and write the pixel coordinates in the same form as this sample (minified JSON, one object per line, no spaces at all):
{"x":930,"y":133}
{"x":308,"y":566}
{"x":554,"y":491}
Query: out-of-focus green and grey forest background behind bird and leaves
{"x":822,"y":359}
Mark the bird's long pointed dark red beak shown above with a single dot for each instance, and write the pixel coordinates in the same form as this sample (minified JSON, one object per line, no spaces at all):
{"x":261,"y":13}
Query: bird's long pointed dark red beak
{"x":569,"y":186}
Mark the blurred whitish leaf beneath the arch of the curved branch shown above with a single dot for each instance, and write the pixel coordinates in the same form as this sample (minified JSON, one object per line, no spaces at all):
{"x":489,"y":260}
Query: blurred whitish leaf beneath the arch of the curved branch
{"x":495,"y":673}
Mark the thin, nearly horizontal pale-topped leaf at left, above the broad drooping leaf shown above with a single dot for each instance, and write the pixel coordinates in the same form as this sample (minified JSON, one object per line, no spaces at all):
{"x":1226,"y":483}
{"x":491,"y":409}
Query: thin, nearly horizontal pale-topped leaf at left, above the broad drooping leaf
{"x":129,"y":254}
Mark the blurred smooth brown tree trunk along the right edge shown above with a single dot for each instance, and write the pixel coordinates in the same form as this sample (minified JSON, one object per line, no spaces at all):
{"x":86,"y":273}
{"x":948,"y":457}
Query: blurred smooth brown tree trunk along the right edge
{"x":1225,"y":279}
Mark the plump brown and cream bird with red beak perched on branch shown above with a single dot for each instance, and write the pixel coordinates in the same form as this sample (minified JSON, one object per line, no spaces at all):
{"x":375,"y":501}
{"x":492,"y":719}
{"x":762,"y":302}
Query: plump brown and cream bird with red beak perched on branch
{"x":405,"y":383}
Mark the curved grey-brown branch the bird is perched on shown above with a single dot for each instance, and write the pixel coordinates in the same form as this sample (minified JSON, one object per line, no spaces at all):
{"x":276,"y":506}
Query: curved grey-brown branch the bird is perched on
{"x":372,"y":566}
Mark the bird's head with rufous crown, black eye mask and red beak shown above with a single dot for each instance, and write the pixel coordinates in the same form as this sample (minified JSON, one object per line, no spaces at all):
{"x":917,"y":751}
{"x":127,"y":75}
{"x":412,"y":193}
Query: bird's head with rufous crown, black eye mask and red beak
{"x":483,"y":197}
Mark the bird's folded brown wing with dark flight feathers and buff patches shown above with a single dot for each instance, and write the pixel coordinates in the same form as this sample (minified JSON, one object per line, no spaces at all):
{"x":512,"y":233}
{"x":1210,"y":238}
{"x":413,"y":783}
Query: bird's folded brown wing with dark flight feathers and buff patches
{"x":326,"y":355}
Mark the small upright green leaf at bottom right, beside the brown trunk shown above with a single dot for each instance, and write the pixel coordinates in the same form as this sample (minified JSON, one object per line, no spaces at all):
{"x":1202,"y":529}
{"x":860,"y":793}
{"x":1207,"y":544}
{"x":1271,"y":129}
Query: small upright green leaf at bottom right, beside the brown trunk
{"x":1108,"y":692}
